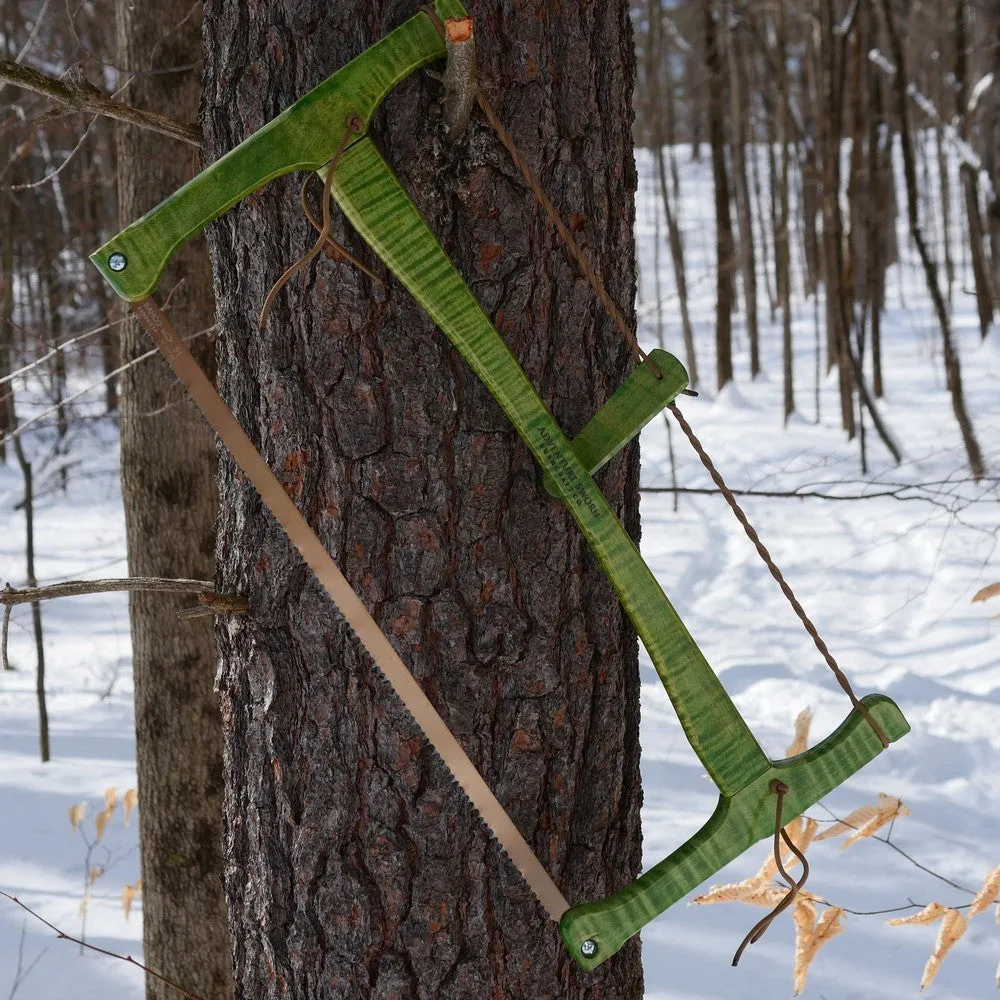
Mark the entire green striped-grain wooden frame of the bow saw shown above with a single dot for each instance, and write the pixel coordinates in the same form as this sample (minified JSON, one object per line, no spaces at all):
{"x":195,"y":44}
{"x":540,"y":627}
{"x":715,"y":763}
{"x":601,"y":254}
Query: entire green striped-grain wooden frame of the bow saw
{"x":306,"y":136}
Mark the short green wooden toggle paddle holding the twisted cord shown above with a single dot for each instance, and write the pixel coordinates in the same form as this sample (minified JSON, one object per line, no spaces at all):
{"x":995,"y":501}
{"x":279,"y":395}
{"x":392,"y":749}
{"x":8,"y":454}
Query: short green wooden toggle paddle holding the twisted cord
{"x":636,"y":401}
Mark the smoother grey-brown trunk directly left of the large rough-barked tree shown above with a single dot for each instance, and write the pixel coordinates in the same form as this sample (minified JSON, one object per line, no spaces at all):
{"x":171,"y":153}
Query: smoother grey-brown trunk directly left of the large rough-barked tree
{"x":168,"y":468}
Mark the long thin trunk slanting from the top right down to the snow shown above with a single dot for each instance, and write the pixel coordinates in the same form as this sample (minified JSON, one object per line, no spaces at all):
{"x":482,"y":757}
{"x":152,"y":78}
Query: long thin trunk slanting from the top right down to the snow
{"x":953,"y":370}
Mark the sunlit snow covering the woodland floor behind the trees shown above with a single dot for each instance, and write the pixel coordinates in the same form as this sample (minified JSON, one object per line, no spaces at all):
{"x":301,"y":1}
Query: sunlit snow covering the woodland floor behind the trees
{"x":888,"y":580}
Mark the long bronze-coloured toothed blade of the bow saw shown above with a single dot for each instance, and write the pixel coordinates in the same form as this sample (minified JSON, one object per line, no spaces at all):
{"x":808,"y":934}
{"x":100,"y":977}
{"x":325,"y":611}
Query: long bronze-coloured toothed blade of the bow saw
{"x":350,"y":605}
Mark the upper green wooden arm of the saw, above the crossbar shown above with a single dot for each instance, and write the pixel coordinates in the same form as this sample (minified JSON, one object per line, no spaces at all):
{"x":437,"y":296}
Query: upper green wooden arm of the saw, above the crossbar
{"x":303,"y":137}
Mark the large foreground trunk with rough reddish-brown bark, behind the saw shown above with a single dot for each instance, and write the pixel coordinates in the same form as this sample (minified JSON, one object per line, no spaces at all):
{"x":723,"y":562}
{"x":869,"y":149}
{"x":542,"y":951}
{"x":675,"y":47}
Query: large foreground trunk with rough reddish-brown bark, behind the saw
{"x":355,"y":868}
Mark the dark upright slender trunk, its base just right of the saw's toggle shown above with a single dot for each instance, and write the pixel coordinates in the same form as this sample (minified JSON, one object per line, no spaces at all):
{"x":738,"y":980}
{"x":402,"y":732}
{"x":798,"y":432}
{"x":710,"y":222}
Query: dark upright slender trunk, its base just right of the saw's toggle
{"x":725,"y":252}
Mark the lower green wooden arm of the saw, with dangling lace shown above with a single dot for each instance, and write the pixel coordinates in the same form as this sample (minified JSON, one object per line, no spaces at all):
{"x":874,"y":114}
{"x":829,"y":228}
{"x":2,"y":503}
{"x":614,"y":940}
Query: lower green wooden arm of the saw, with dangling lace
{"x":739,"y":822}
